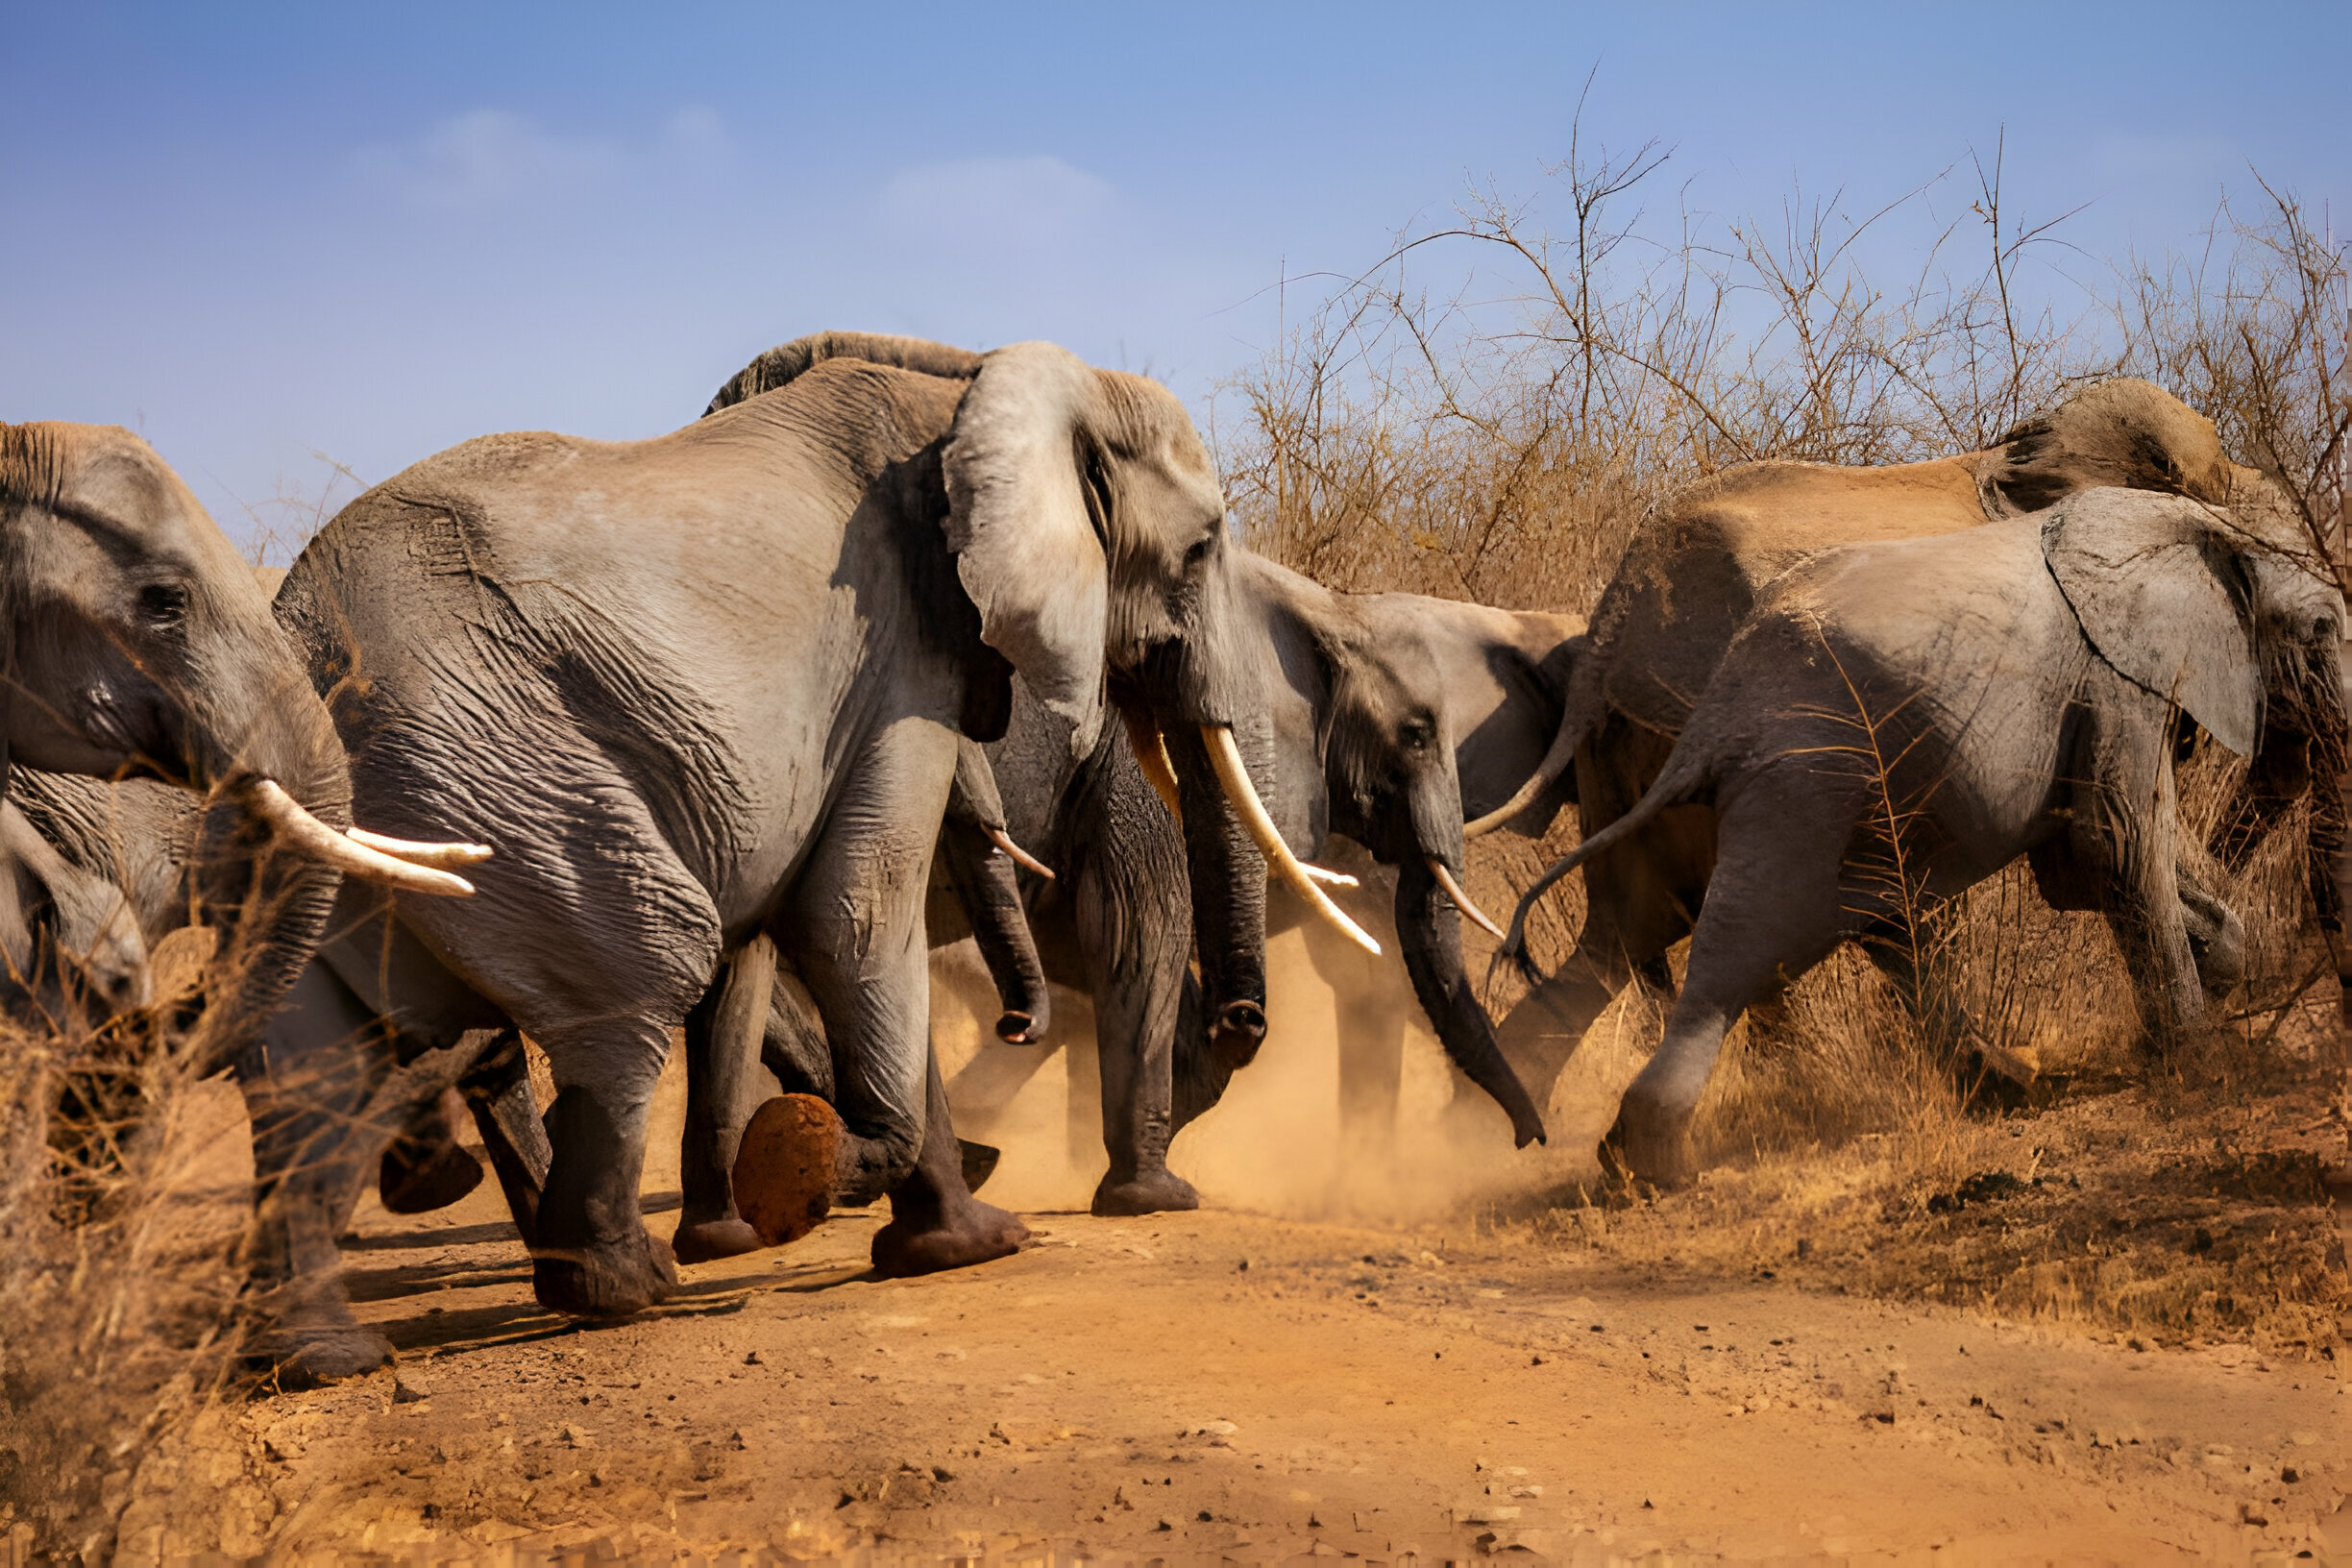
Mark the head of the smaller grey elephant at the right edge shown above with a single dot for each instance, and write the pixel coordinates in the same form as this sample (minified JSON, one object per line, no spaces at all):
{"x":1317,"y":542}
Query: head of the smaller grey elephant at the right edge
{"x":2224,"y":615}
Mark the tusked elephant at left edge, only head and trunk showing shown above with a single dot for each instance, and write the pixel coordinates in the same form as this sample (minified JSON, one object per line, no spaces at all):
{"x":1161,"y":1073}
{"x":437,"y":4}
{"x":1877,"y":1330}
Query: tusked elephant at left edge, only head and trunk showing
{"x":135,"y":643}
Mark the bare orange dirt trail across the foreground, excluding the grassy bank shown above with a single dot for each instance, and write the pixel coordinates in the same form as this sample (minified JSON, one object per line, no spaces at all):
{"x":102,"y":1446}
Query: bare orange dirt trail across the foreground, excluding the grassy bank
{"x":1222,"y":1386}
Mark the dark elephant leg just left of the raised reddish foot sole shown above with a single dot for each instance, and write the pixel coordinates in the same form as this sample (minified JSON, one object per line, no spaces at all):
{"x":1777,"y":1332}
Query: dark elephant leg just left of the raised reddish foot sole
{"x":726,"y":1038}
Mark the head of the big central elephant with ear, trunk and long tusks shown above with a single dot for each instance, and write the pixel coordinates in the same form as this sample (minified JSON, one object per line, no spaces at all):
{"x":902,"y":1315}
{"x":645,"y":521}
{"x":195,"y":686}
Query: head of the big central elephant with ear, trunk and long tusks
{"x":1090,"y":535}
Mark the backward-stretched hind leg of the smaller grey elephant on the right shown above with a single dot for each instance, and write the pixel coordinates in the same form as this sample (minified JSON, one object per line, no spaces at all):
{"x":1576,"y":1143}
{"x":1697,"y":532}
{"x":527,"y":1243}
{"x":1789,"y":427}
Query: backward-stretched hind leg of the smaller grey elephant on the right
{"x":1772,"y":913}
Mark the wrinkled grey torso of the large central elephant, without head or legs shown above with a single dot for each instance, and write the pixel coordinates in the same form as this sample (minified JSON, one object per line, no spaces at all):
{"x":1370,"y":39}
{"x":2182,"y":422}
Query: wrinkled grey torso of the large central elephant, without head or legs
{"x":662,"y":617}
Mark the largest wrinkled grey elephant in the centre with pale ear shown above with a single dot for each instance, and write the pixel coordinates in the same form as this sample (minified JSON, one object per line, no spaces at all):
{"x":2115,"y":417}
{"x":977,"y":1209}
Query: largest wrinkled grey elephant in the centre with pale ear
{"x":559,"y":645}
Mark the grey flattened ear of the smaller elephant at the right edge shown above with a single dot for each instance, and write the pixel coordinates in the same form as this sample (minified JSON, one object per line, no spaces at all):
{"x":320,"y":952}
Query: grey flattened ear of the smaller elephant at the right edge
{"x":2163,"y":598}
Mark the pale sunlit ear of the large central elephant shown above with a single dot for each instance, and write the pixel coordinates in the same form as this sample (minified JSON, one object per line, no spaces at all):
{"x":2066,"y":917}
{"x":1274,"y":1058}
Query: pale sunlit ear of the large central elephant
{"x":1027,"y":544}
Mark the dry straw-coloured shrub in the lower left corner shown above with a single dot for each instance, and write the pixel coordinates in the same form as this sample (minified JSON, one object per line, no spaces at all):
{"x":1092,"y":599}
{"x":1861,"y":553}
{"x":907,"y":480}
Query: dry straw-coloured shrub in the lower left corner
{"x":116,"y":1271}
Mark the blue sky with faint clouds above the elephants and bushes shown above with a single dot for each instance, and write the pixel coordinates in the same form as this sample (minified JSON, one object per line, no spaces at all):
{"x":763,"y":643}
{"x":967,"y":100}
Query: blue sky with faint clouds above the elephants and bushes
{"x":370,"y":232}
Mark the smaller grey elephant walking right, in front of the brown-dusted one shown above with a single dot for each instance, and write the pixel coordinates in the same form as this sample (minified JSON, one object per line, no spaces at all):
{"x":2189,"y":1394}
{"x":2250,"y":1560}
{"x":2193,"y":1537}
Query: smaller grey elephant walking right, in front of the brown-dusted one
{"x":1902,"y":721}
